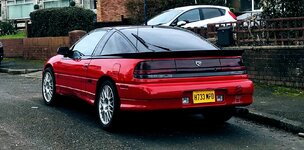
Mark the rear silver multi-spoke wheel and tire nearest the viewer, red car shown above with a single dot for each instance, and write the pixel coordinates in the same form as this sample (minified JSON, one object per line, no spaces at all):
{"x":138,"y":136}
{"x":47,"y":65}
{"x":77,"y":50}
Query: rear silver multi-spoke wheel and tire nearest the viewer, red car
{"x":108,"y":105}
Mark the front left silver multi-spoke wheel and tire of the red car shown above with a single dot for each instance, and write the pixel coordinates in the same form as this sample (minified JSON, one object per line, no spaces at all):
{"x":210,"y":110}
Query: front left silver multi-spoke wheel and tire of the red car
{"x":49,"y":87}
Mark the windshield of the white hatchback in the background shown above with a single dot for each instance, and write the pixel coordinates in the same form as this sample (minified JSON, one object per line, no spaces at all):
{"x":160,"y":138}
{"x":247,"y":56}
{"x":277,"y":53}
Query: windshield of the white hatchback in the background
{"x":164,"y":17}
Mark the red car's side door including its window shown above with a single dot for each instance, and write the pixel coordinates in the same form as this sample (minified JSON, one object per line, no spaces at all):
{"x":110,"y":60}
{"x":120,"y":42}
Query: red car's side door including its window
{"x":72,"y":71}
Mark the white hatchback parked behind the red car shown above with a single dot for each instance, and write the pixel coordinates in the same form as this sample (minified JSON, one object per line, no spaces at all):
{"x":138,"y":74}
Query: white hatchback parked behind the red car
{"x":193,"y":16}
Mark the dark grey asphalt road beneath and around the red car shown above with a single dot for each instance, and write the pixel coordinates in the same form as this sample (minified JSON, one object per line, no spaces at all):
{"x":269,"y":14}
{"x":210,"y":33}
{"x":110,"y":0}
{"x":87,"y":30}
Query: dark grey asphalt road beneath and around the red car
{"x":26,"y":123}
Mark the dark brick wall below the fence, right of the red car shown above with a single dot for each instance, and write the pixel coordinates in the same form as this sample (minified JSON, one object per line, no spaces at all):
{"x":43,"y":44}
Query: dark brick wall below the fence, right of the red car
{"x":276,"y":65}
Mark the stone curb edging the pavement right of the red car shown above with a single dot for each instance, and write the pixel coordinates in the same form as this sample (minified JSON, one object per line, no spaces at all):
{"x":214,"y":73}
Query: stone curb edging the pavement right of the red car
{"x":272,"y":120}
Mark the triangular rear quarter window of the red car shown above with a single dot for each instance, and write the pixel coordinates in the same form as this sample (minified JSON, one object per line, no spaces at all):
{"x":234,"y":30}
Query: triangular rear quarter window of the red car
{"x":117,"y":44}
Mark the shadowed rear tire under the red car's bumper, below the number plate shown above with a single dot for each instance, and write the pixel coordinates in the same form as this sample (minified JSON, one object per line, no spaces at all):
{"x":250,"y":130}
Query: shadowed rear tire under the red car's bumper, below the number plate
{"x":218,"y":115}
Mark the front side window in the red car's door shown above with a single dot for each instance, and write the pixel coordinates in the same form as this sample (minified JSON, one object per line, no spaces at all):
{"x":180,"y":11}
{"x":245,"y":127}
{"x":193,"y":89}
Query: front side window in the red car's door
{"x":87,"y":44}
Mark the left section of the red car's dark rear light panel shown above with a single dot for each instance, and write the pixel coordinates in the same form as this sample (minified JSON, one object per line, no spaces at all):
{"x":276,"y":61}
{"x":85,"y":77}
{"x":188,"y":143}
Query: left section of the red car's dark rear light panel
{"x":155,"y":69}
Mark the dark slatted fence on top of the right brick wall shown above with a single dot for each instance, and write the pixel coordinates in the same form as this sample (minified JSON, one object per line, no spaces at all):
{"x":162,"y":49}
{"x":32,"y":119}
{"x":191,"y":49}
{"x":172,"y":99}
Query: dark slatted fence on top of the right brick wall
{"x":261,"y":32}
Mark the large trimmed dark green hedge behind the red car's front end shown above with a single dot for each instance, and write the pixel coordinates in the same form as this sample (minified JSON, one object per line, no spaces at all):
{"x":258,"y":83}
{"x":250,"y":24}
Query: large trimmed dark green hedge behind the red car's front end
{"x":59,"y":21}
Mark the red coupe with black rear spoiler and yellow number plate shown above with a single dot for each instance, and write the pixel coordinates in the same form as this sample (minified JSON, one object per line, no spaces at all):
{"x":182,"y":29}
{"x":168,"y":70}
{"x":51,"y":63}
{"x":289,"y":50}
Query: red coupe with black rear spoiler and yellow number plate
{"x":147,"y":68}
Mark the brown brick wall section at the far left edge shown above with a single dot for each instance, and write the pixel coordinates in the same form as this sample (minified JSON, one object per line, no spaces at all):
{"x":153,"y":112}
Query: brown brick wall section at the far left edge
{"x":12,"y":47}
